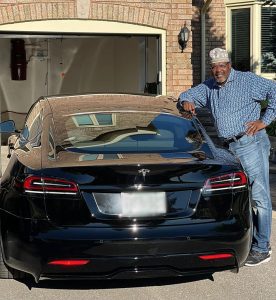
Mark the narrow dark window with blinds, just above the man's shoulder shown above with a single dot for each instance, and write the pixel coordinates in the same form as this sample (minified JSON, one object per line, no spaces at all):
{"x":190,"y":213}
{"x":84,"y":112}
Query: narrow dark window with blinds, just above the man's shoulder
{"x":240,"y":38}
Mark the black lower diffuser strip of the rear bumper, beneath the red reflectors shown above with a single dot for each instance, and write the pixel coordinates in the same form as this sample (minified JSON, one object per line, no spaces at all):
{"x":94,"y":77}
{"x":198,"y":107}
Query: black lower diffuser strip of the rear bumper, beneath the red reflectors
{"x":142,"y":267}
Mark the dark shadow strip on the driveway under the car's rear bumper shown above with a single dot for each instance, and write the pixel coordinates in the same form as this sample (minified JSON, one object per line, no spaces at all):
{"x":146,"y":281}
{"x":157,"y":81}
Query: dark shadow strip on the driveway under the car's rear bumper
{"x":110,"y":284}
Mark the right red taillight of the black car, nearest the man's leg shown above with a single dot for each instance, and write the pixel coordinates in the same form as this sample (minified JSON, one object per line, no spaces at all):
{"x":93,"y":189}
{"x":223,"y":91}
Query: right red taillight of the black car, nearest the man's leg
{"x":226,"y":181}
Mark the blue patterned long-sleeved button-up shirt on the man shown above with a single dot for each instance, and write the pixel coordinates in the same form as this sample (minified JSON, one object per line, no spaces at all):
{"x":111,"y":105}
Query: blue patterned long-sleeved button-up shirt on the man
{"x":236,"y":102}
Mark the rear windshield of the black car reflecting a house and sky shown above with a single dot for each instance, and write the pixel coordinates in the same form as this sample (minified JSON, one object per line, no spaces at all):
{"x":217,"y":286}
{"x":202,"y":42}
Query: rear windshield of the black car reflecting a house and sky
{"x":128,"y":132}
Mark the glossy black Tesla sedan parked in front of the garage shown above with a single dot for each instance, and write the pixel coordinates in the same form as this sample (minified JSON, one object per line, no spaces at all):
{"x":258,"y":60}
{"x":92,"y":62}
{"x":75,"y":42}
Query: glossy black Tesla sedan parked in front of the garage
{"x":110,"y":186}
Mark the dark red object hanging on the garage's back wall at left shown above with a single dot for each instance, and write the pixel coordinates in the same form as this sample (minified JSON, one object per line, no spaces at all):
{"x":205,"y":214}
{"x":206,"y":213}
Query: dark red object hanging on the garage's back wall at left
{"x":18,"y":60}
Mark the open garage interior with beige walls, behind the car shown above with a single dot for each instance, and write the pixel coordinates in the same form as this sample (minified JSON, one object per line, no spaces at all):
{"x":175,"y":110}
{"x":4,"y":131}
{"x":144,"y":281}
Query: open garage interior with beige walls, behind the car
{"x":71,"y":64}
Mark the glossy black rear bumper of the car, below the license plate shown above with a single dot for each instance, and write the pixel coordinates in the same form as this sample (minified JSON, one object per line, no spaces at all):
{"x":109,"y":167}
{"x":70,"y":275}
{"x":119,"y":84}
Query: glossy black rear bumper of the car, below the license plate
{"x":117,"y":253}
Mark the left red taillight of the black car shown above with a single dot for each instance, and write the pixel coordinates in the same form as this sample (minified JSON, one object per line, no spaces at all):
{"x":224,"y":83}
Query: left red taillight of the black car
{"x":37,"y":184}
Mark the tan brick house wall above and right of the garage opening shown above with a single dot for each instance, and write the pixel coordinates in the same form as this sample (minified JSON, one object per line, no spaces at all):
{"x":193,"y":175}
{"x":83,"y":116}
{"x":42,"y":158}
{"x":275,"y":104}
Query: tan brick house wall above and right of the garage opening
{"x":183,"y":69}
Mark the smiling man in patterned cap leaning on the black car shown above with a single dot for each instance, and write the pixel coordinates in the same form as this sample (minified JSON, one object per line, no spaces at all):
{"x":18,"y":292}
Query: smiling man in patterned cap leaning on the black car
{"x":234,"y":97}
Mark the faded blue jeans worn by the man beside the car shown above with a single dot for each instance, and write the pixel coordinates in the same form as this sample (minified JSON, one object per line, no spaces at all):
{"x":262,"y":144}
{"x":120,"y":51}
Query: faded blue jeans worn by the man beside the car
{"x":253,"y":153}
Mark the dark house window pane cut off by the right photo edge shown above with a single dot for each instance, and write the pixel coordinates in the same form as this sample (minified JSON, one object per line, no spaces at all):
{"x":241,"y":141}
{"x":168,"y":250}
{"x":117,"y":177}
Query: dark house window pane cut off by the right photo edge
{"x":268,"y":40}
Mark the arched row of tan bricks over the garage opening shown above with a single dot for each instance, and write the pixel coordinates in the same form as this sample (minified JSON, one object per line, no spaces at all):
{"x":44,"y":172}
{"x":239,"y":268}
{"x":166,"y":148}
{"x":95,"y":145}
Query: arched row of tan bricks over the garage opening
{"x":24,"y":10}
